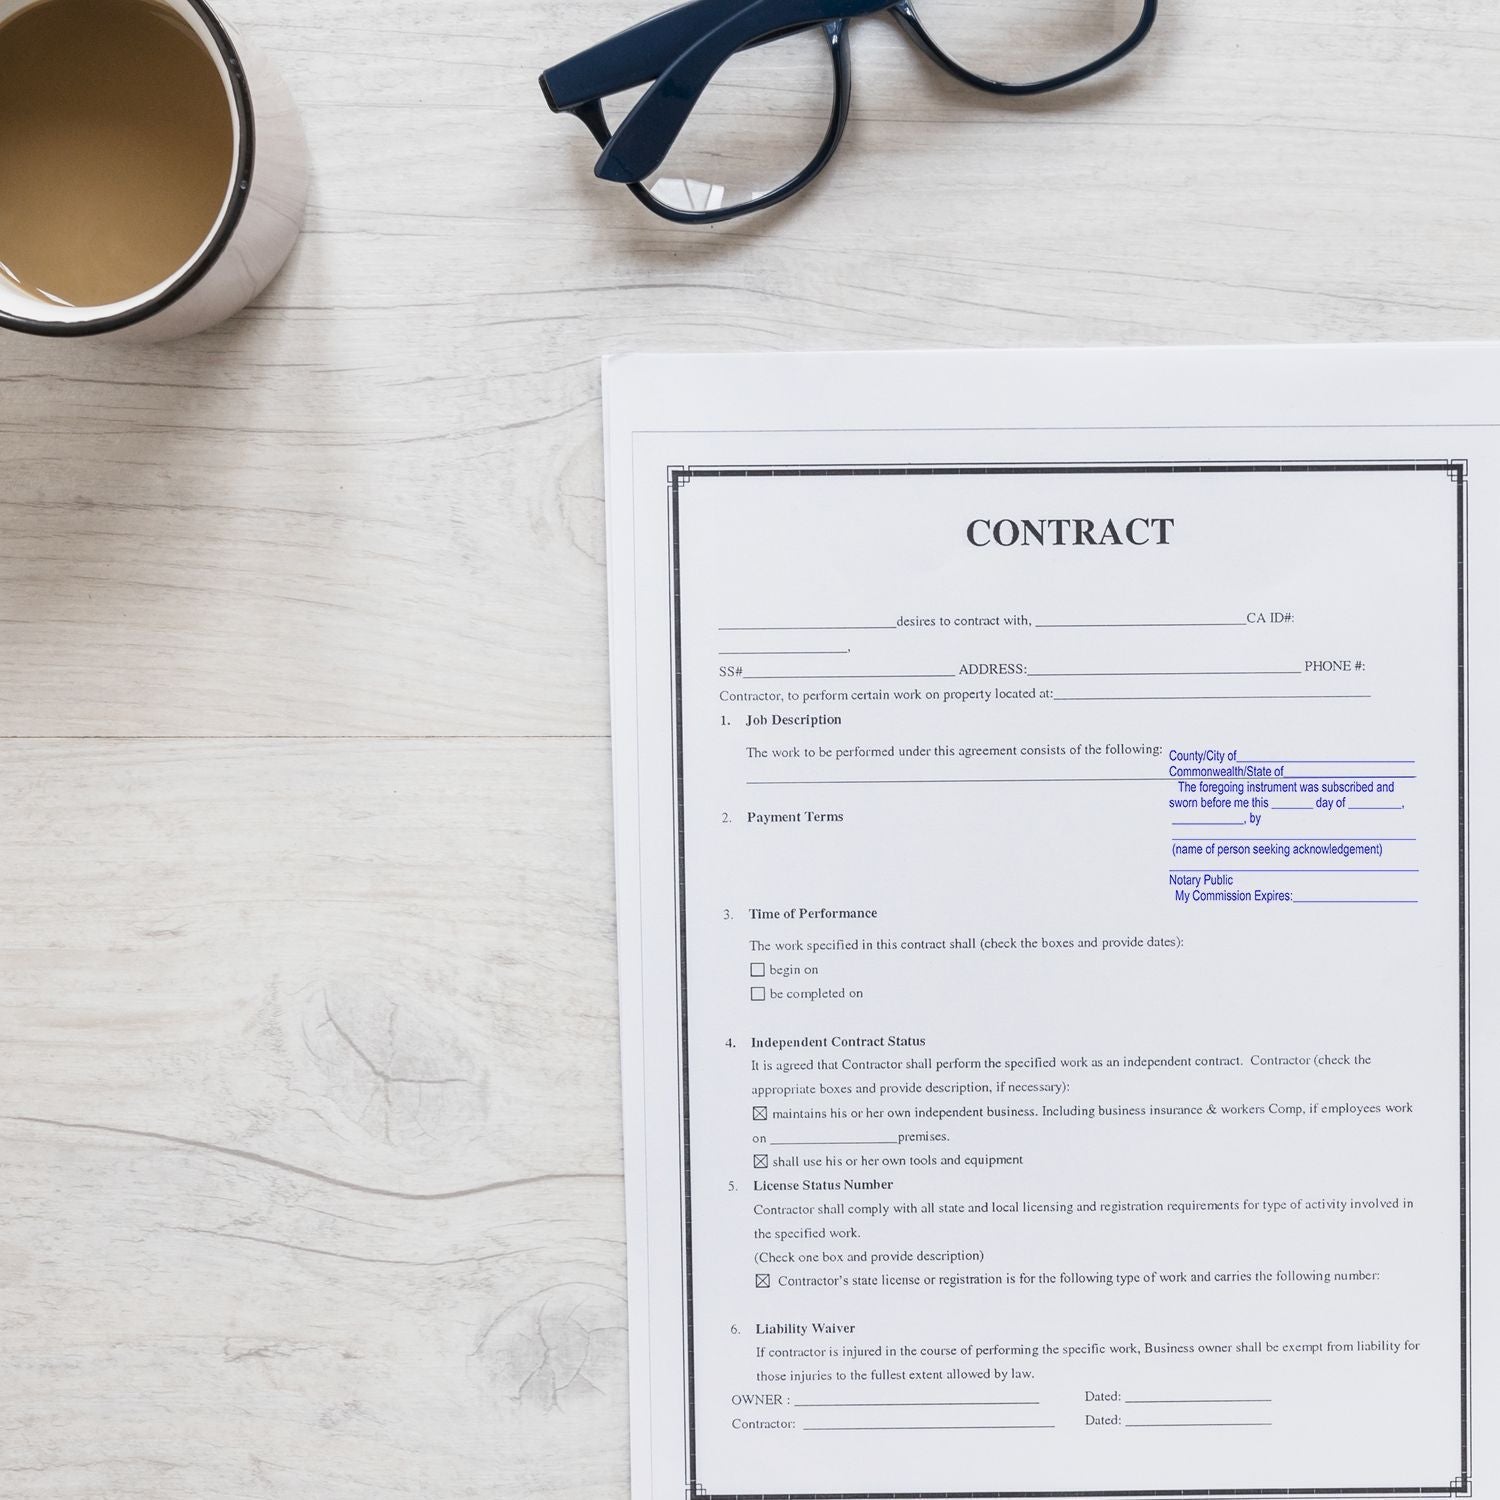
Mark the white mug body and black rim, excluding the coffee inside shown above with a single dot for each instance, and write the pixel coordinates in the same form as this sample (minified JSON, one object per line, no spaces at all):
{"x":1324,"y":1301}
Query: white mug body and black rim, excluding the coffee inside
{"x":253,"y":235}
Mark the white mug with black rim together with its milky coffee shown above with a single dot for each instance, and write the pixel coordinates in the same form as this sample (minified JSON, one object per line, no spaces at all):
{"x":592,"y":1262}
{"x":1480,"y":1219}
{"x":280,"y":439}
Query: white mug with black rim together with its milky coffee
{"x":152,"y":173}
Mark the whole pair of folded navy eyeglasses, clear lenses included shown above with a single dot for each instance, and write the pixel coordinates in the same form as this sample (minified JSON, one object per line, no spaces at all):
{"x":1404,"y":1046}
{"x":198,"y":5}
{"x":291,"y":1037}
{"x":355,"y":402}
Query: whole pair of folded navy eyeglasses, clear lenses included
{"x":724,"y":107}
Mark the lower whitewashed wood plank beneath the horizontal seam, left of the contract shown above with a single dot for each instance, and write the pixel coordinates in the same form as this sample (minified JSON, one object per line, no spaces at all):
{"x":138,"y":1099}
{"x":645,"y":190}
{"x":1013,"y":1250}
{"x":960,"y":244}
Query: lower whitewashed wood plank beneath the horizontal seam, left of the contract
{"x":308,"y":1121}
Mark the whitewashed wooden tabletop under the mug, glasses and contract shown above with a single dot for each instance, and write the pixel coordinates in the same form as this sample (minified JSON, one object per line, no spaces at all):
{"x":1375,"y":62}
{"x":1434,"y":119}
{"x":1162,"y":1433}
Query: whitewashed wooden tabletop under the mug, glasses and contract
{"x":310,"y":1154}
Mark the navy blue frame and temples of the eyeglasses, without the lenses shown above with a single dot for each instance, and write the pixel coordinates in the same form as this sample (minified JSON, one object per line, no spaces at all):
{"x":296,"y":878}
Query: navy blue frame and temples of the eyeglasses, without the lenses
{"x":680,"y":52}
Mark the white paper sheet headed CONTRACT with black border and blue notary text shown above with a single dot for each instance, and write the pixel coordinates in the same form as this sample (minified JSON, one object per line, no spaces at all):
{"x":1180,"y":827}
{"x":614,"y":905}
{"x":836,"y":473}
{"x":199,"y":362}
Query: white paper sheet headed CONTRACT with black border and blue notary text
{"x":1057,"y":895}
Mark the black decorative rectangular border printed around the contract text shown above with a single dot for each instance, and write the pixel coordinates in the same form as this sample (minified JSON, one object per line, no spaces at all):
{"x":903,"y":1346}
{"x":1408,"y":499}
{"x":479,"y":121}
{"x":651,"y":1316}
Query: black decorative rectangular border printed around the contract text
{"x":1457,"y":470}
